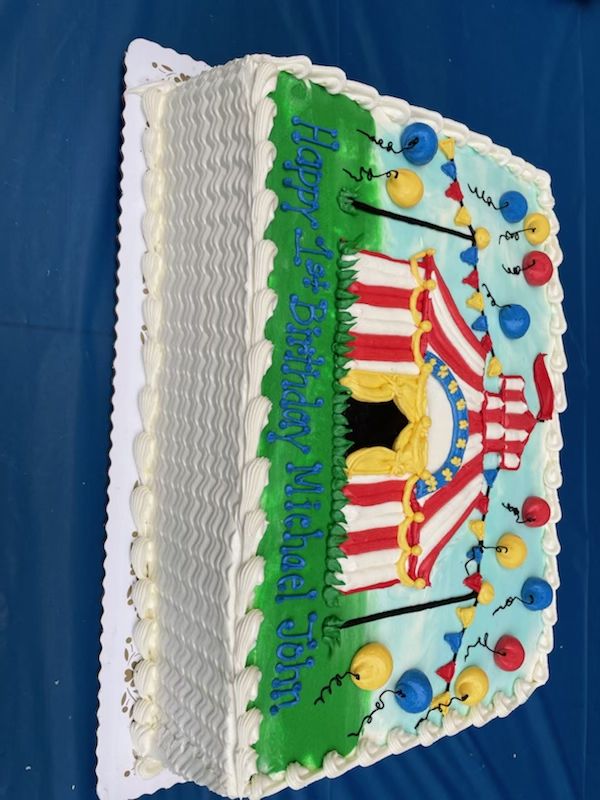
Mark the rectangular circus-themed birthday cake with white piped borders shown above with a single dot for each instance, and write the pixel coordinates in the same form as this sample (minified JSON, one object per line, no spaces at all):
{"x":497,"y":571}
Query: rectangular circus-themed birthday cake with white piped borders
{"x":348,"y":471}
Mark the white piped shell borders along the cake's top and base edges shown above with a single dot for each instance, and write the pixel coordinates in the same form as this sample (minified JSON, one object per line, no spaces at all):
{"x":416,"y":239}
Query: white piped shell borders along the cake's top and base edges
{"x":247,"y":573}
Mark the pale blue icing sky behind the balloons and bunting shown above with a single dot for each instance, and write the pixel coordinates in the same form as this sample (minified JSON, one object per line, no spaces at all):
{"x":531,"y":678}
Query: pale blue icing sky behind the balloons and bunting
{"x":417,"y":640}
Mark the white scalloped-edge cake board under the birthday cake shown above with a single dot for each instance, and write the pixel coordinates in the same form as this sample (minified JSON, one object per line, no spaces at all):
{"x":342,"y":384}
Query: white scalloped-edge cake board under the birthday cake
{"x":145,"y":62}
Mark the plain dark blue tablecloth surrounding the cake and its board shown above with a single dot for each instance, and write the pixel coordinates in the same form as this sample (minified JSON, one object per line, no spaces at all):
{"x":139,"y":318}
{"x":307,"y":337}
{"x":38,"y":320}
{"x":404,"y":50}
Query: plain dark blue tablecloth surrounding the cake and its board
{"x":526,"y":73}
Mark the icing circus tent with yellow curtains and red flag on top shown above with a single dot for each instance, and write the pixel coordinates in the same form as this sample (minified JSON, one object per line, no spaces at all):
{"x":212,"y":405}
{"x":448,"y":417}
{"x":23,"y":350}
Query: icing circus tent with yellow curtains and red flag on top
{"x":412,"y":346}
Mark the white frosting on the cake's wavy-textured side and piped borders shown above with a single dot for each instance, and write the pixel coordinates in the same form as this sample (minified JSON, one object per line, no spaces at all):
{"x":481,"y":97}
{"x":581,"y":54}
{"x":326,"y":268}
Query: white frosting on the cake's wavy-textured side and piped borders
{"x":221,"y":755}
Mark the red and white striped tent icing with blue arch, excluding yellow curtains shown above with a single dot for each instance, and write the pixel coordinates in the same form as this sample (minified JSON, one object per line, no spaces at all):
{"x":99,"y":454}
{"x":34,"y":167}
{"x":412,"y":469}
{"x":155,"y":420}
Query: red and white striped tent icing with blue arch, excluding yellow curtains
{"x":467,"y":421}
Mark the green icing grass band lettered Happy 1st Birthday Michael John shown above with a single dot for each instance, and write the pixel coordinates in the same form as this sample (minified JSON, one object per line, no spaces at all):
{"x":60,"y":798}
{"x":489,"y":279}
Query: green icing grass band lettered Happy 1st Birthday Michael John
{"x":305,"y":438}
